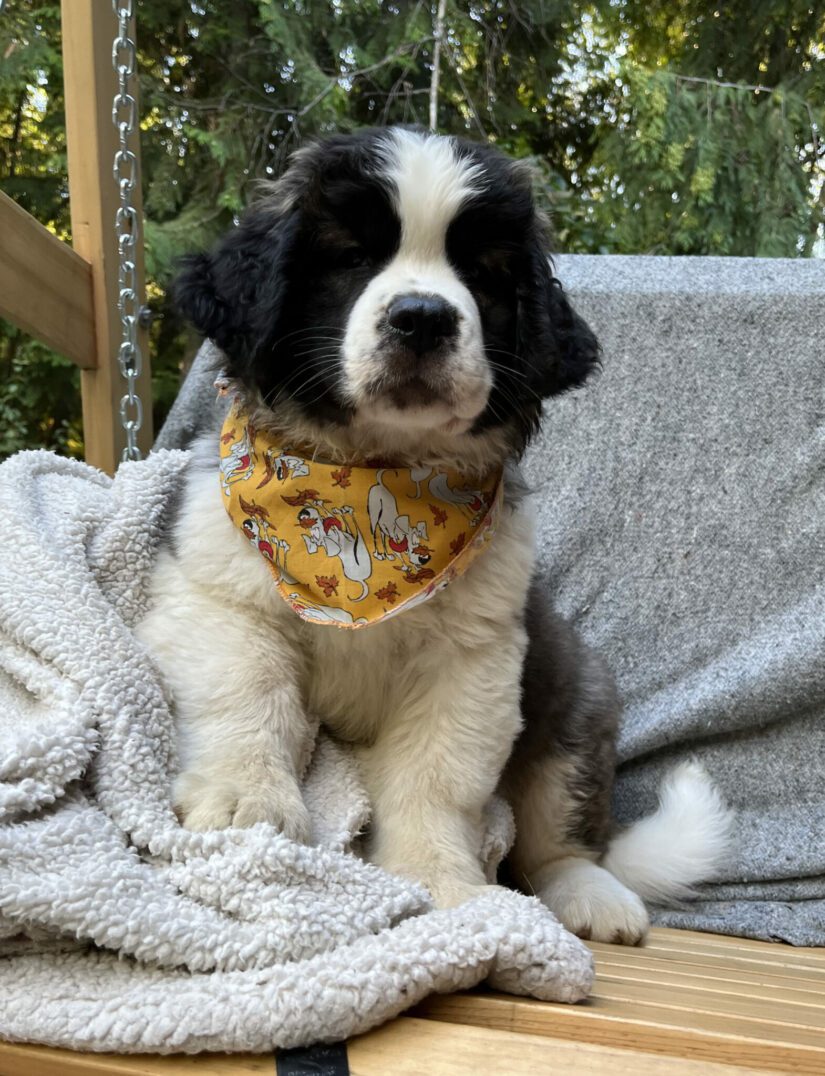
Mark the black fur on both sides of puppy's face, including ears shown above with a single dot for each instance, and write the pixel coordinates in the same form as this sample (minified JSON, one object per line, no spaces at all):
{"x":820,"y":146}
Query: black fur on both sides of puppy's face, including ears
{"x":277,"y":293}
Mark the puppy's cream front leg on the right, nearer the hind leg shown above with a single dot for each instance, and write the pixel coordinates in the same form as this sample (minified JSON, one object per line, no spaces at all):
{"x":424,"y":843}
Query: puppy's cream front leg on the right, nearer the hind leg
{"x":437,"y":761}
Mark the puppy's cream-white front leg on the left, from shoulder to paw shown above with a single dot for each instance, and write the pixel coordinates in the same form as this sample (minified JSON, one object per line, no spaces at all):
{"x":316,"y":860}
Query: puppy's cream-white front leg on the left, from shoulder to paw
{"x":244,"y":739}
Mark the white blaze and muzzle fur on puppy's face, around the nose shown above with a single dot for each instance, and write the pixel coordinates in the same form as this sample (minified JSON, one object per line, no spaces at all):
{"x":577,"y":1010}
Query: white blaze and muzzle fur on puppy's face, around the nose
{"x":431,"y":185}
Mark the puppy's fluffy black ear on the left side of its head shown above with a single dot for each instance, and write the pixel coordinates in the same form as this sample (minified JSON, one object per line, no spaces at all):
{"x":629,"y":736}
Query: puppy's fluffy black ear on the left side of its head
{"x":236,"y":294}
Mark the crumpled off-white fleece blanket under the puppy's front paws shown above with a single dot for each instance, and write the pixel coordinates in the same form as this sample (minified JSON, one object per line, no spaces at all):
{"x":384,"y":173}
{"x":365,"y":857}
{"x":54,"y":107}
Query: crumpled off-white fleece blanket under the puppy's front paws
{"x":122,"y":931}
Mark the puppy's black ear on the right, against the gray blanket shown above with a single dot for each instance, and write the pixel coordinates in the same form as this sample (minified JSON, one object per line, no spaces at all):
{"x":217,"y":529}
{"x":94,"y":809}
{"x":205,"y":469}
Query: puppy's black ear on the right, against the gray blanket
{"x":557,"y":345}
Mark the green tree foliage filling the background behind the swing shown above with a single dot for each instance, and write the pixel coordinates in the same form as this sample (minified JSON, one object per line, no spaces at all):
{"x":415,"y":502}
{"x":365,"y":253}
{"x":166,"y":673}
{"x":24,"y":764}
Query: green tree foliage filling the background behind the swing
{"x":642,"y":120}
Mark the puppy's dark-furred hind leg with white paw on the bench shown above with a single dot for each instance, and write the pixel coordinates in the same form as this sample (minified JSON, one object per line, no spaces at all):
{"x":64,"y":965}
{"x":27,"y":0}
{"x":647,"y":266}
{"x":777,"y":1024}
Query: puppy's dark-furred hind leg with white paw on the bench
{"x":559,"y":782}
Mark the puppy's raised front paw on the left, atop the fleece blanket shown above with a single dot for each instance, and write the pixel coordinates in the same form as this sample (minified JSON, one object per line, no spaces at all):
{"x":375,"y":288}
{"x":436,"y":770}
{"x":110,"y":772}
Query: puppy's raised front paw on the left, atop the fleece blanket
{"x":205,"y":804}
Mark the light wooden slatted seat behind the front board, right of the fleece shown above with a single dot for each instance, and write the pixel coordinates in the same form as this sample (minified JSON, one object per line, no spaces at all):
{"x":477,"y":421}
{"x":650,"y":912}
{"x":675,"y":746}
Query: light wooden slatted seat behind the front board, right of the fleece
{"x":687,"y":995}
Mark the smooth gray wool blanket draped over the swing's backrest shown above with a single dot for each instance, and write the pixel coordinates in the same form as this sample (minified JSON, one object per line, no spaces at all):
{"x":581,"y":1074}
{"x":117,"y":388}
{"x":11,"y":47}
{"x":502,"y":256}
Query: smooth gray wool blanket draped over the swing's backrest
{"x":682,"y":530}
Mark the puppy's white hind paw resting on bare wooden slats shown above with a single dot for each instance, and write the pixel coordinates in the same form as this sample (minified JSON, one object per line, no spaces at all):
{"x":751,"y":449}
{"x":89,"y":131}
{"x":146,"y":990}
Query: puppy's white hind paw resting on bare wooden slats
{"x":590,"y":902}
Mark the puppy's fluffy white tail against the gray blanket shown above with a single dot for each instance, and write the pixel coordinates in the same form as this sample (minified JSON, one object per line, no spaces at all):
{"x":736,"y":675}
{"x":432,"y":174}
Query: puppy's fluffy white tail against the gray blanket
{"x":684,"y":843}
